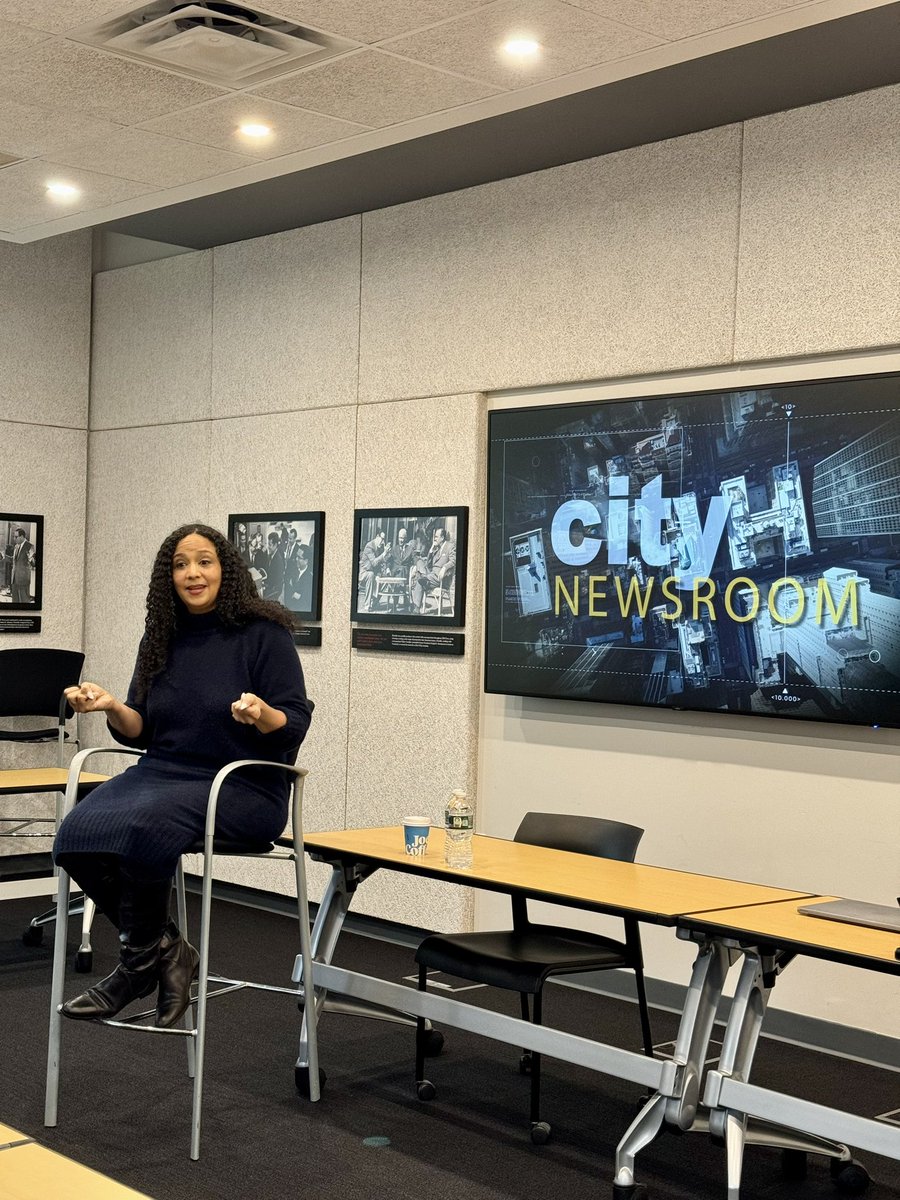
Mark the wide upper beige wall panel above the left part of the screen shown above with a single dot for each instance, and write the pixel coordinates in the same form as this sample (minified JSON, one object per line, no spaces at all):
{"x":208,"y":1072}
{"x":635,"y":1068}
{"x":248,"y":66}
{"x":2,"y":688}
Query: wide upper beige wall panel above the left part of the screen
{"x":616,"y":266}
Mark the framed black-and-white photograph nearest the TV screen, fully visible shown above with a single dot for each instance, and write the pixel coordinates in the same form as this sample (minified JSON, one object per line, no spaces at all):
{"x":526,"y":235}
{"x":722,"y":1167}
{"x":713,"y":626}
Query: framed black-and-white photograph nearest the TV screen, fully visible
{"x":410,"y":566}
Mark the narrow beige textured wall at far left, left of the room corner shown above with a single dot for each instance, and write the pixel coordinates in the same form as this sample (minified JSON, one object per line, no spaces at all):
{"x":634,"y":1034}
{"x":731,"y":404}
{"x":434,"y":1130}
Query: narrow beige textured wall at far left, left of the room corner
{"x":45,"y":349}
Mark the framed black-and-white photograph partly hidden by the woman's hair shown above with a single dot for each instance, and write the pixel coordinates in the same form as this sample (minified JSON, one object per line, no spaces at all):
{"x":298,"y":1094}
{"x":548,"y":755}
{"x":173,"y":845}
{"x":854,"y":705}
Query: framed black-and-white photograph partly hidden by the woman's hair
{"x":284,"y":553}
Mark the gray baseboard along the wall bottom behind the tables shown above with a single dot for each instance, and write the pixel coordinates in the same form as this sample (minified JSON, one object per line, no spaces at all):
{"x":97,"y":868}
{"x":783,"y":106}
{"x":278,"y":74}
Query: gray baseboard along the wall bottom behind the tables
{"x":843,"y":1041}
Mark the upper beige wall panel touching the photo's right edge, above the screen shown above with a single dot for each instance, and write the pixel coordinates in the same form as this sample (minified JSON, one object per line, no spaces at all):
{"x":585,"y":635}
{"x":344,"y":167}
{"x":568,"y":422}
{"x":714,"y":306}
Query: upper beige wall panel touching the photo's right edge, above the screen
{"x":820,"y":230}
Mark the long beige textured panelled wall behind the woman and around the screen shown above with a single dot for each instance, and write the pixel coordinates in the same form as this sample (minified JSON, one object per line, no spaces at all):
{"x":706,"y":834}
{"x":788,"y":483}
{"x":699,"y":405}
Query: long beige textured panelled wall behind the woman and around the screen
{"x":341,"y":365}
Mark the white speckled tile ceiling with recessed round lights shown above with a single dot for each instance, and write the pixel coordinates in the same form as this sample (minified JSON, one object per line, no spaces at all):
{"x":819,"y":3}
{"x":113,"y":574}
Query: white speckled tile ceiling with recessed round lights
{"x":123,"y":130}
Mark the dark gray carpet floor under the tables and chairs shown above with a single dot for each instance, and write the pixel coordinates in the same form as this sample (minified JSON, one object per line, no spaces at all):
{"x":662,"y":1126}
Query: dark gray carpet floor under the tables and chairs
{"x":125,"y":1099}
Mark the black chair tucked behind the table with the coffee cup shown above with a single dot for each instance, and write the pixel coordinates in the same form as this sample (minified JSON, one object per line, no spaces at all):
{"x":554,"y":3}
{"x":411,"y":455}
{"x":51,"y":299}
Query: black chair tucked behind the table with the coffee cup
{"x":524,"y":958}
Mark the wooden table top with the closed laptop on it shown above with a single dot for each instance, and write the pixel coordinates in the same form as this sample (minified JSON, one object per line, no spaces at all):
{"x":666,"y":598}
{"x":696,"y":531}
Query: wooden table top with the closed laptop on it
{"x":783,"y":926}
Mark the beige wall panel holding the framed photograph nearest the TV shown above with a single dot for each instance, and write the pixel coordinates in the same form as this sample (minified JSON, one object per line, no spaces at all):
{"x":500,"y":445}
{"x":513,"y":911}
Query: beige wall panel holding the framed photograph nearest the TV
{"x":413,"y":719}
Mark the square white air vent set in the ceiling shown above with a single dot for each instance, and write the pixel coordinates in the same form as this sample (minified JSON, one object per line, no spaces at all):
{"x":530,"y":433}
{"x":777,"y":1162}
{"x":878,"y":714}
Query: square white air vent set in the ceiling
{"x":224,"y":44}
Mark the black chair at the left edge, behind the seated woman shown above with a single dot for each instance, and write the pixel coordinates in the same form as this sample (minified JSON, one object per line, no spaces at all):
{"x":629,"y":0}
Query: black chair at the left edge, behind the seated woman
{"x":32,"y":685}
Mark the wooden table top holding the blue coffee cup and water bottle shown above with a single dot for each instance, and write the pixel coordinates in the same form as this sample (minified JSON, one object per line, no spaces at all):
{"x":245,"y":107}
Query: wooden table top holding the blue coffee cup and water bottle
{"x":584,"y":881}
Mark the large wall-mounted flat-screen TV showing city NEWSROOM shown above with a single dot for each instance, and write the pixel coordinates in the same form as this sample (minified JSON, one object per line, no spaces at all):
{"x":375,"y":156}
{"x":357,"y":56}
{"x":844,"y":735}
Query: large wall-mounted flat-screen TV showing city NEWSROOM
{"x":727,"y":551}
